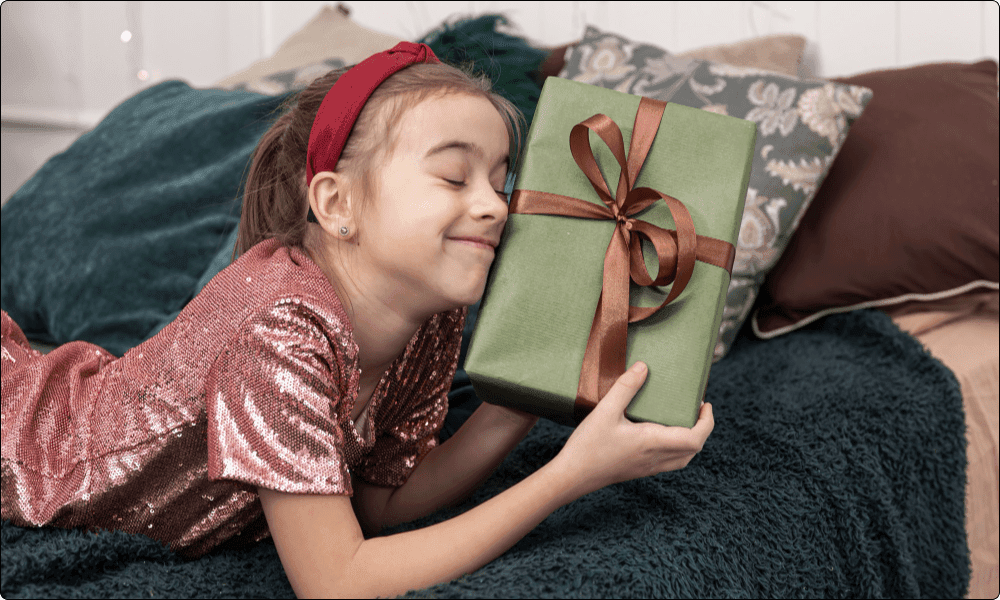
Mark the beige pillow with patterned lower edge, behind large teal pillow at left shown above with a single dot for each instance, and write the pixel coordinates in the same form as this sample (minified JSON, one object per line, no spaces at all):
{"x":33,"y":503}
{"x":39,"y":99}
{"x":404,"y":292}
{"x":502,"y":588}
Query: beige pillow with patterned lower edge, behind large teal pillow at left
{"x":329,"y":41}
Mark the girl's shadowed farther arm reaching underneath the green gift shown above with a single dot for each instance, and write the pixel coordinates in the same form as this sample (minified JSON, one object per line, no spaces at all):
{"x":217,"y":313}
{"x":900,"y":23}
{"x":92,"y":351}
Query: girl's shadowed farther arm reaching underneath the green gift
{"x":447,"y":474}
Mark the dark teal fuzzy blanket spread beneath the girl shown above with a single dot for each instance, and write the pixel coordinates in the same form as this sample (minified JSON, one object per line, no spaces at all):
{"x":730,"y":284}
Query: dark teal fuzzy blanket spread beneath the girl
{"x":836,"y":469}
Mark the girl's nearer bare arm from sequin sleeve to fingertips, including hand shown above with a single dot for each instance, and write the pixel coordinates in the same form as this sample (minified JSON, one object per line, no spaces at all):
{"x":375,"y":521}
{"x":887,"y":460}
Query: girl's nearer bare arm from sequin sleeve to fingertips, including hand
{"x":325,"y":554}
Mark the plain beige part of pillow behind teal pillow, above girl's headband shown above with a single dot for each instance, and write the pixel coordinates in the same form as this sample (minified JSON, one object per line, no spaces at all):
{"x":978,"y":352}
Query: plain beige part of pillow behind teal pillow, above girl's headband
{"x":330,"y":34}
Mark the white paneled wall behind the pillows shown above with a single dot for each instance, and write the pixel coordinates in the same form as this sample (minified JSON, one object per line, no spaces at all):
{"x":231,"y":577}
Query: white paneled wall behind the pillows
{"x":65,"y":64}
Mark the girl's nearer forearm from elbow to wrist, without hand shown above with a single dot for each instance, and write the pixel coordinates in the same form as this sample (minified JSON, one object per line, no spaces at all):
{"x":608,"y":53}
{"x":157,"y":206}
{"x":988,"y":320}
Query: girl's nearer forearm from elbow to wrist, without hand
{"x":395,"y":564}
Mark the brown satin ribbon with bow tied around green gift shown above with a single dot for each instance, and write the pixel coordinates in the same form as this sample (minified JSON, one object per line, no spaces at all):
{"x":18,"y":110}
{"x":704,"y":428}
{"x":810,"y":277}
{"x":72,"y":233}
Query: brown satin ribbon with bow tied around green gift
{"x":604,"y":357}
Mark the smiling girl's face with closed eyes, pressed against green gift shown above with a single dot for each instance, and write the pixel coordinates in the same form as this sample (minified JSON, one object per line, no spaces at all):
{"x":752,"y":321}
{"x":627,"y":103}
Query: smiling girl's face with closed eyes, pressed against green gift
{"x":432,"y":231}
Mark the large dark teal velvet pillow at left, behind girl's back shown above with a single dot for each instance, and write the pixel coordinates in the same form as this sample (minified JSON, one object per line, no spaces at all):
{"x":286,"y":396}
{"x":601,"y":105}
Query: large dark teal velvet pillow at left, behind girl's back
{"x":109,"y":239}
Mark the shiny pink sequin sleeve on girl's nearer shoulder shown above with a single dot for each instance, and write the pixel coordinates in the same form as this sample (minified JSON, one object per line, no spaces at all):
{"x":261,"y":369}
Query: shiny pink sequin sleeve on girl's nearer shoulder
{"x":273,"y":398}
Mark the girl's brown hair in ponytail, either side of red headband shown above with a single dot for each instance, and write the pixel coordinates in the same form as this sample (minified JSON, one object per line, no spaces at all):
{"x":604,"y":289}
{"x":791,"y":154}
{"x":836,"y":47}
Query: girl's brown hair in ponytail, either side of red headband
{"x":275,"y":203}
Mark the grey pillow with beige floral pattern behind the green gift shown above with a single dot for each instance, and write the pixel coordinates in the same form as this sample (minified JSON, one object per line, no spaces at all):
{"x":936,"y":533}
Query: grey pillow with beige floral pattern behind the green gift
{"x":801,"y":125}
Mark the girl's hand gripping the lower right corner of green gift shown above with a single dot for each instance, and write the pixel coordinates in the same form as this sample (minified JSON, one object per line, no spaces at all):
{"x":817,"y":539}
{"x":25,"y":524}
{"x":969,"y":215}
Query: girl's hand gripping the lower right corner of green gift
{"x":607,"y":448}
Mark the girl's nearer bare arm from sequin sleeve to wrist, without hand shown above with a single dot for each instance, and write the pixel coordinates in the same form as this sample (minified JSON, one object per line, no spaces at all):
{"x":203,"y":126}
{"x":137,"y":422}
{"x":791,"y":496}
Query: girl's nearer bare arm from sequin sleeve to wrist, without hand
{"x":325,"y":555}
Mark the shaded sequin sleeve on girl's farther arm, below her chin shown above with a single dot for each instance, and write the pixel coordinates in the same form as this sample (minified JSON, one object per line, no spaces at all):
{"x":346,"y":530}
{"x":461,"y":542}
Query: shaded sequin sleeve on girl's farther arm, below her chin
{"x":418,"y":403}
